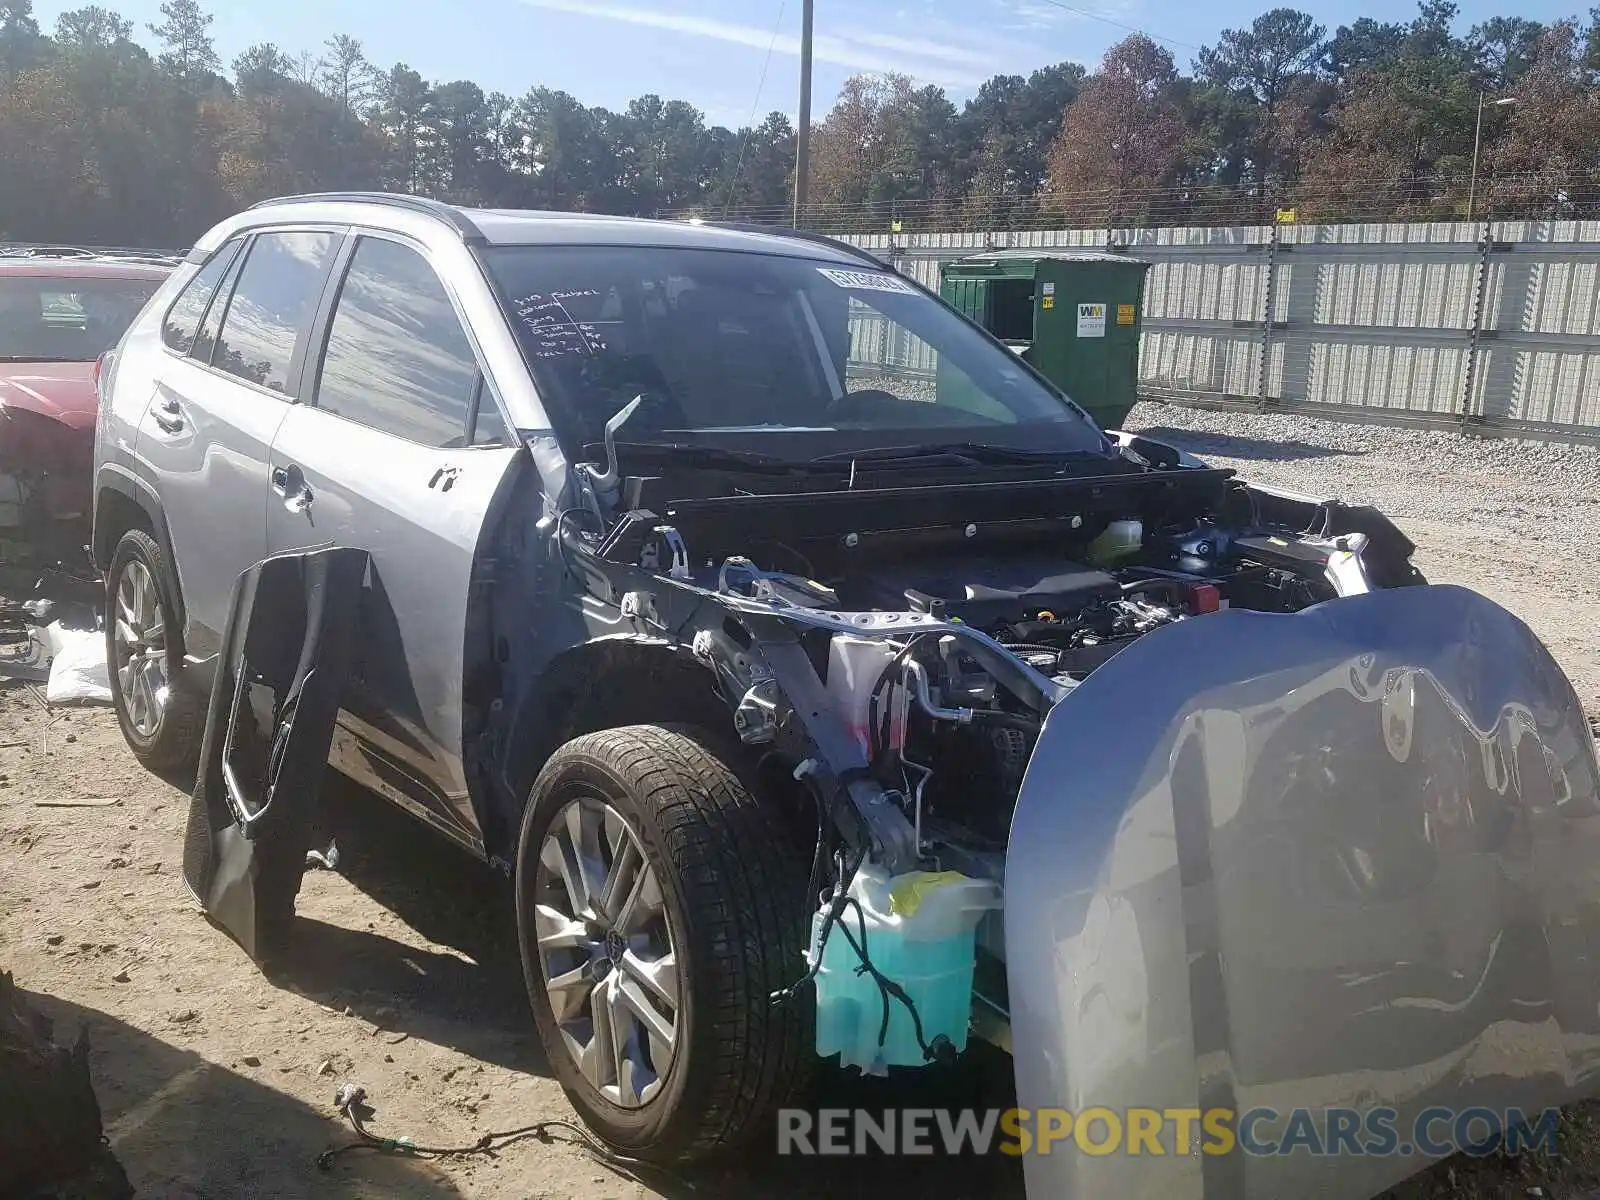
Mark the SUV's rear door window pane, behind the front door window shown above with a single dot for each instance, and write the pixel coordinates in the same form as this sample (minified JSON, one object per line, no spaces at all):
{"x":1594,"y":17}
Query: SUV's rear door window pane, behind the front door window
{"x":271,"y":306}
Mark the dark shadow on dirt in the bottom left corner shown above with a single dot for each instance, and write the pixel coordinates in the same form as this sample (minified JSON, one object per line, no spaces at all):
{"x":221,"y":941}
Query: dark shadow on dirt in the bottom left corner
{"x":186,"y":1129}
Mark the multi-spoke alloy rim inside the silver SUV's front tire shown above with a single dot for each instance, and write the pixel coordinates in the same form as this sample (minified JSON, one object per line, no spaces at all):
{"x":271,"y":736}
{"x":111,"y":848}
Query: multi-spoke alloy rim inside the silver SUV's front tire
{"x":606,"y":951}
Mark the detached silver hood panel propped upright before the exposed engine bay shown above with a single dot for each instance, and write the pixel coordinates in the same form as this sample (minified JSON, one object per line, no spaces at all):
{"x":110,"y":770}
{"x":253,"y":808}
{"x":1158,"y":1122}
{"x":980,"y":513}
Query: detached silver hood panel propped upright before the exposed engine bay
{"x":1340,"y":858}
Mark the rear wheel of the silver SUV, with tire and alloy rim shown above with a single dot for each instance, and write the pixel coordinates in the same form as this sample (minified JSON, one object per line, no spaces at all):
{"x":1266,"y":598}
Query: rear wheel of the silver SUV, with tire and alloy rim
{"x":170,"y":742}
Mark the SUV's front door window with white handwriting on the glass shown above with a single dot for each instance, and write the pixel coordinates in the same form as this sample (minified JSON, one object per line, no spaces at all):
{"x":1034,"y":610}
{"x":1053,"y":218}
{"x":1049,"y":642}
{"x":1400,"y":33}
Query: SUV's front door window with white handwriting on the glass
{"x":398,"y":358}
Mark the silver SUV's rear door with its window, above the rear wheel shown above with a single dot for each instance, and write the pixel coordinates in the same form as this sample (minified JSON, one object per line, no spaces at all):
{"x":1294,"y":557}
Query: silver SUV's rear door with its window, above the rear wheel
{"x":238,"y":343}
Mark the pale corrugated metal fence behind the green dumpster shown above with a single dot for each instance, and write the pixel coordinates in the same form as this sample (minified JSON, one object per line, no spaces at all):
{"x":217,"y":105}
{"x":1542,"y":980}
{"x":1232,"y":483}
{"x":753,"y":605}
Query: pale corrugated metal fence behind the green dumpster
{"x":1490,"y":327}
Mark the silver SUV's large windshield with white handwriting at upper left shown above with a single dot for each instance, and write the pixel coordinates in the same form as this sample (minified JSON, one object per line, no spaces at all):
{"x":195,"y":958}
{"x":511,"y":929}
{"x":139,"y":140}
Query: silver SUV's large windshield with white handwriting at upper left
{"x":767,"y":353}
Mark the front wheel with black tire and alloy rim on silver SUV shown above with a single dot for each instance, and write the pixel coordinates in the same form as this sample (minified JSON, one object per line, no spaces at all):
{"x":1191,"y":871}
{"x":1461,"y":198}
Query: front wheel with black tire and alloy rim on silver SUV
{"x":658,"y":910}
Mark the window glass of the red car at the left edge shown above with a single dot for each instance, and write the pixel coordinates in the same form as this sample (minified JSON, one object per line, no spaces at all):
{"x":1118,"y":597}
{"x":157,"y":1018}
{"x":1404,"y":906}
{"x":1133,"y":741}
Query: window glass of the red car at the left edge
{"x":66,"y":321}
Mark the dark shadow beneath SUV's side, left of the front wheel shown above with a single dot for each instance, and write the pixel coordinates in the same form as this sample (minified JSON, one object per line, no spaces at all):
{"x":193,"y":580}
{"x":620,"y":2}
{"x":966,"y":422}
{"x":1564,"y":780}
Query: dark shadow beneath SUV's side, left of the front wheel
{"x":470,"y":998}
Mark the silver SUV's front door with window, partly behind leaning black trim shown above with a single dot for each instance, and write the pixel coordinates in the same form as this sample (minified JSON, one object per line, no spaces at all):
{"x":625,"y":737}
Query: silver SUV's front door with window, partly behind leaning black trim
{"x":399,"y":452}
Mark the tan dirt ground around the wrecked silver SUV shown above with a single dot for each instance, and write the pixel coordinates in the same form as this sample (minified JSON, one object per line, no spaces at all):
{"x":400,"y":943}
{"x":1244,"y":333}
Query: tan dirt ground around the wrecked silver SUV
{"x":218,"y":1081}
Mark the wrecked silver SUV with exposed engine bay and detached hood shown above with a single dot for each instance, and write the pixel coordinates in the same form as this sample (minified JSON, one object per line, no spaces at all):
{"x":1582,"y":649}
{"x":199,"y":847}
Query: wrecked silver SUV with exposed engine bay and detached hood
{"x":721,"y":585}
